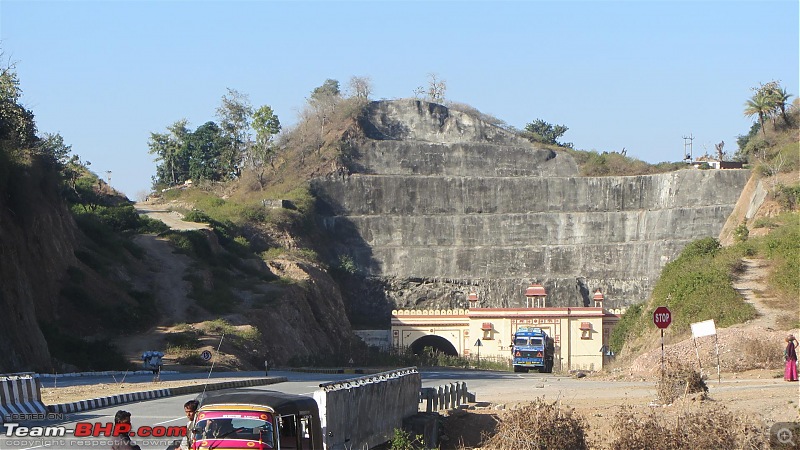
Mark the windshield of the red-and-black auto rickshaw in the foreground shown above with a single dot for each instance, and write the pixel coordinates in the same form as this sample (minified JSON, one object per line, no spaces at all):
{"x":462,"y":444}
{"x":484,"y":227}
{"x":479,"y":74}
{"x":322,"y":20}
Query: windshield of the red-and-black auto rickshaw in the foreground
{"x":235,"y":425}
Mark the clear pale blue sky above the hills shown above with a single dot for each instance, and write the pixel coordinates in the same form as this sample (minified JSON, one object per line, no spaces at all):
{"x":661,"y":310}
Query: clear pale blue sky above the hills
{"x":633,"y":74}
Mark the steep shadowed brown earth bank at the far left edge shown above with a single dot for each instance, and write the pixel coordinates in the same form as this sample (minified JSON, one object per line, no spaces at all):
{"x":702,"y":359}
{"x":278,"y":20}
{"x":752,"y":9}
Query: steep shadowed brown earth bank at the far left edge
{"x":37,"y":238}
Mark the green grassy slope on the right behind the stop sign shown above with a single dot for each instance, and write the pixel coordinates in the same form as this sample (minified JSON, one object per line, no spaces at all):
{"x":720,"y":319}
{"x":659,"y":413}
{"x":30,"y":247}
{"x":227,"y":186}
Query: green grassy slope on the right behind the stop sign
{"x":697,"y":286}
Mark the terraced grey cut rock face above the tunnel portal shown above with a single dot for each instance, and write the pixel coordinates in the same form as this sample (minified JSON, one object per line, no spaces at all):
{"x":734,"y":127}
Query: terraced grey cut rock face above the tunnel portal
{"x":444,"y":204}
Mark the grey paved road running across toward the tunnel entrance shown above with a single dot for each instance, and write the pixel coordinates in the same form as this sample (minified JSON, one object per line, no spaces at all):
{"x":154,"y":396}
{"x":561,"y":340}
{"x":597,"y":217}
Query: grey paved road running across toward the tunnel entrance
{"x":169,"y":411}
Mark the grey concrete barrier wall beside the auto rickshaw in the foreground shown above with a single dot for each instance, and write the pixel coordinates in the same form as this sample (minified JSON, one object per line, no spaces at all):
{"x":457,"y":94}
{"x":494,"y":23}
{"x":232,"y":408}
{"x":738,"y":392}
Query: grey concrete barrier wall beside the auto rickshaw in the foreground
{"x":364,"y":412}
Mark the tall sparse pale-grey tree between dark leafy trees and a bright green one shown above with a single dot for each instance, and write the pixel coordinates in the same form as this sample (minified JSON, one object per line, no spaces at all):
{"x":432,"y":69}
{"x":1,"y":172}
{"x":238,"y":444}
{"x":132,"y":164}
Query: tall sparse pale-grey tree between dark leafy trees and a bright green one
{"x":234,"y":116}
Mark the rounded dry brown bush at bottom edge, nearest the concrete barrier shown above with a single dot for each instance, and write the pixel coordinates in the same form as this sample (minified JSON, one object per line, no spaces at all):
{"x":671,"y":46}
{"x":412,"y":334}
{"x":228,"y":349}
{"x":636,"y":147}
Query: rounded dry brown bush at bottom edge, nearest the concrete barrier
{"x":539,"y":425}
